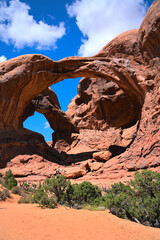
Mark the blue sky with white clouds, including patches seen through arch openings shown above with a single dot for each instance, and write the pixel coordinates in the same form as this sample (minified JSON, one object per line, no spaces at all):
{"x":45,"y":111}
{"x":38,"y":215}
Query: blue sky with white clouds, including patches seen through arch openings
{"x":62,"y":28}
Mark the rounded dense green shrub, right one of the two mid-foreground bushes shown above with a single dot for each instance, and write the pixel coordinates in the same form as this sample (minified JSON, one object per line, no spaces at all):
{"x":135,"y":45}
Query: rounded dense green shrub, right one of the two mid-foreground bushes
{"x":85,"y":192}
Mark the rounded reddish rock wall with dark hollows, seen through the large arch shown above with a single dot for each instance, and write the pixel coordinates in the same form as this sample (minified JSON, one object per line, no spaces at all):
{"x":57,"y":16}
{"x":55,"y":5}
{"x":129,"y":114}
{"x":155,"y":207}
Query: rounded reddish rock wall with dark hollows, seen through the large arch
{"x":101,"y":104}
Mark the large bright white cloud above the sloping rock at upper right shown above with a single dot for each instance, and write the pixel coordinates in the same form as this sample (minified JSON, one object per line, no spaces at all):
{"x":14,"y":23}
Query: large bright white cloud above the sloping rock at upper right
{"x":102,"y":20}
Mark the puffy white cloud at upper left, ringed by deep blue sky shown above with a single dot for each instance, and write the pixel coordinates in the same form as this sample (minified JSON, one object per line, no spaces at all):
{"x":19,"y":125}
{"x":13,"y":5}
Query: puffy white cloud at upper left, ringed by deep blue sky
{"x":20,"y":29}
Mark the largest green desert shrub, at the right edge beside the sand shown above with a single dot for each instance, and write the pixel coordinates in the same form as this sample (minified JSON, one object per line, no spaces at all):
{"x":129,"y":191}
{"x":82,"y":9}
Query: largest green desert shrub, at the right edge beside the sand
{"x":139,"y":200}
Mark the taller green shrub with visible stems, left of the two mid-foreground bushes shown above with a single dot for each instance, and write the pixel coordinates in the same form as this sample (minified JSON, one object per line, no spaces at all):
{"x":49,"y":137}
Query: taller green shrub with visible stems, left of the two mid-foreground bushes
{"x":59,"y":187}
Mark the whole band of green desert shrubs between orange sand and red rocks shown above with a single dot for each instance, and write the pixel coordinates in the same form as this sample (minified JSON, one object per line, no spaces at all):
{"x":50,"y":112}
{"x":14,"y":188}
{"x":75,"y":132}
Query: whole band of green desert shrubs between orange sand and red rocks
{"x":138,"y":200}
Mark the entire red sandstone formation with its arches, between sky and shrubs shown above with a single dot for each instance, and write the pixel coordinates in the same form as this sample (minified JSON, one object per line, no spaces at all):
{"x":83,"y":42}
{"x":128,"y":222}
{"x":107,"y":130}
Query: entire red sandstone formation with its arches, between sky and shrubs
{"x":116,"y":110}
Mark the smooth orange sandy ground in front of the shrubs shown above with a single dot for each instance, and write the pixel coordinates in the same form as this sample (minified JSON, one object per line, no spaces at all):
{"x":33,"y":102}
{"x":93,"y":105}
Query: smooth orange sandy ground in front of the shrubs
{"x":29,"y":222}
